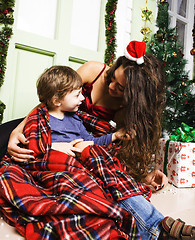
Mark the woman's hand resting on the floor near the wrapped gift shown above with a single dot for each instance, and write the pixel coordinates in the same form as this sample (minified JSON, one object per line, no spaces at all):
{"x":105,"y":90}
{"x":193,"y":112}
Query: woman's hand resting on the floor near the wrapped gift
{"x":156,"y":179}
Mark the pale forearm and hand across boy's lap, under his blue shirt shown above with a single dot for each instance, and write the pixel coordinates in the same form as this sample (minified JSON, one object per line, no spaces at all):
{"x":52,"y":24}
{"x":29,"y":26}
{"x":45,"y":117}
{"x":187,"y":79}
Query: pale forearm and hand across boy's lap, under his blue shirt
{"x":68,"y":148}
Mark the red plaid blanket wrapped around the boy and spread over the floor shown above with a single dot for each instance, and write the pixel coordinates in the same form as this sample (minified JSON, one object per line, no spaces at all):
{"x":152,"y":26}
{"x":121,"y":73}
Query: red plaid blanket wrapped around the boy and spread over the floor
{"x":57,"y":196}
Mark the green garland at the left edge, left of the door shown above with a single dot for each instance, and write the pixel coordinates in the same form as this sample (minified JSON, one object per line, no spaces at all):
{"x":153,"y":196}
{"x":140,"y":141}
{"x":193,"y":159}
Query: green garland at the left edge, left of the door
{"x":6,"y":20}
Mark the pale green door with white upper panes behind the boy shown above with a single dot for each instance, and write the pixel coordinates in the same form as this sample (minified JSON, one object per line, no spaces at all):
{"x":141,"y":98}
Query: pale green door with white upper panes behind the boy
{"x":31,"y":50}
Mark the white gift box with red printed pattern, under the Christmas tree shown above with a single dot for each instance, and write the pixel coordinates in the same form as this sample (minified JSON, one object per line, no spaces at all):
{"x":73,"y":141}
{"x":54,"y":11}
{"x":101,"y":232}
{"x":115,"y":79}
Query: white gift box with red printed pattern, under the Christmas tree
{"x":180,"y":163}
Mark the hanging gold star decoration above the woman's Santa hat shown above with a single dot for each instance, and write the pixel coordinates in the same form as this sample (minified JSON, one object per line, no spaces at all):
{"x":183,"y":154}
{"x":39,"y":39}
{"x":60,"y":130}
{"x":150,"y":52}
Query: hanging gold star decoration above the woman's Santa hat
{"x":146,"y":16}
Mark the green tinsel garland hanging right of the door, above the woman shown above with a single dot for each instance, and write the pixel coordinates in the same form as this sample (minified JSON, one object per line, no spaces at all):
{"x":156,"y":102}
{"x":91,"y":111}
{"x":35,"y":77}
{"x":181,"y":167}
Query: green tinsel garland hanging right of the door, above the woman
{"x":110,"y":32}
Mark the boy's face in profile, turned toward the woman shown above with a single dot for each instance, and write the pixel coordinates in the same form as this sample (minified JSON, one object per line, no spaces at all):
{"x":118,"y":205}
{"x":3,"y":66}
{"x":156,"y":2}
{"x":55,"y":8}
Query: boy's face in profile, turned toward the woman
{"x":71,"y":101}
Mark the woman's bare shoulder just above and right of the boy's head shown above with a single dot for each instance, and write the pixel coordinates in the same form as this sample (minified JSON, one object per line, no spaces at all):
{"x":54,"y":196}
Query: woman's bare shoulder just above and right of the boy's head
{"x":89,"y":71}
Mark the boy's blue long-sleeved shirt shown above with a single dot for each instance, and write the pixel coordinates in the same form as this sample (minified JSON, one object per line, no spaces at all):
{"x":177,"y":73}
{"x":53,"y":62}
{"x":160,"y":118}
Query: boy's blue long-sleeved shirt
{"x":71,"y":127}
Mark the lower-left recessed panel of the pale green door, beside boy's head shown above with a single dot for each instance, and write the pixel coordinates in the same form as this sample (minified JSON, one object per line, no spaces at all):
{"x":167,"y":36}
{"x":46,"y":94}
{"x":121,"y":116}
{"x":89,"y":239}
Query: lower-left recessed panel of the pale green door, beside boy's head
{"x":25,"y":94}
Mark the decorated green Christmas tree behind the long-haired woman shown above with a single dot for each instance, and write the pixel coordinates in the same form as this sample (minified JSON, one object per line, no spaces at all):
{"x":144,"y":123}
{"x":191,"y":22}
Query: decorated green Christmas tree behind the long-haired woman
{"x":180,"y":103}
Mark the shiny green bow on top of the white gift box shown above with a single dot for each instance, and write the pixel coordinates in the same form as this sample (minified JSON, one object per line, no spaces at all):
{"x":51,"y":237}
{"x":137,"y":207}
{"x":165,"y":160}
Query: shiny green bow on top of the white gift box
{"x":183,"y":134}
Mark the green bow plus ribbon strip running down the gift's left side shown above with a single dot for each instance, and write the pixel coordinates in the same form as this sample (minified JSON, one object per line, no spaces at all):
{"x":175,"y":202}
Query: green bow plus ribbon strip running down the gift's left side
{"x":184,"y":133}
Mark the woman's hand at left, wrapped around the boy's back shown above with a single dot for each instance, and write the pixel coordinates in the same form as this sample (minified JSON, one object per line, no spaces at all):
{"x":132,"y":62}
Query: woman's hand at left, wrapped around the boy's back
{"x":17,"y":153}
